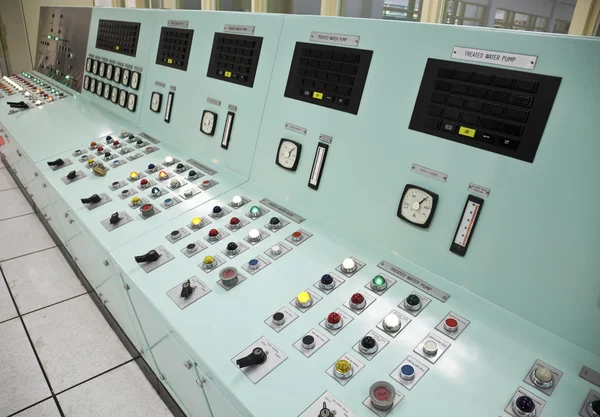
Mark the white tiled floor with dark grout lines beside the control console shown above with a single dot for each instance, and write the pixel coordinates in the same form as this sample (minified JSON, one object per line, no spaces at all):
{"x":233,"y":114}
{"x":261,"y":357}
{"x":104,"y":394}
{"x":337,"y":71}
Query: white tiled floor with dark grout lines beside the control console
{"x":58,"y":356}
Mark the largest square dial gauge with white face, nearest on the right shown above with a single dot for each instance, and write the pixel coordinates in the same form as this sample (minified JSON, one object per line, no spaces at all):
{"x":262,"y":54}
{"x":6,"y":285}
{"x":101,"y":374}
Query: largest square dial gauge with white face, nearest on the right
{"x":417,"y":206}
